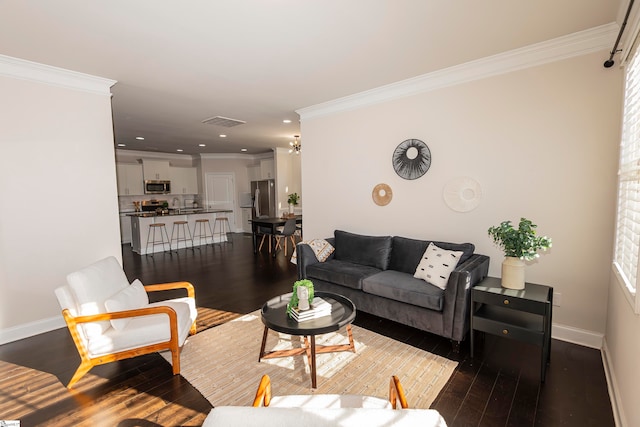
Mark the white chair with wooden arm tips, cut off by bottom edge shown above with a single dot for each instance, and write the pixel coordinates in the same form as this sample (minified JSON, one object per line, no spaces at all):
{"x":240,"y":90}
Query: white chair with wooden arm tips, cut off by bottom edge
{"x":318,"y":410}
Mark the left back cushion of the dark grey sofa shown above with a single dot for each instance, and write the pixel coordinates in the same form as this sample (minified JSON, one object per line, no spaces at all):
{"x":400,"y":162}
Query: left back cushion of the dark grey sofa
{"x":373,"y":251}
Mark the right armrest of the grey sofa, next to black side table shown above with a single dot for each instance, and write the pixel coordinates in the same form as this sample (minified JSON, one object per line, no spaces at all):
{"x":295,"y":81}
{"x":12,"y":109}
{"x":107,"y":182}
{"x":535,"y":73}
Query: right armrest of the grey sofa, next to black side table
{"x":457,"y":298}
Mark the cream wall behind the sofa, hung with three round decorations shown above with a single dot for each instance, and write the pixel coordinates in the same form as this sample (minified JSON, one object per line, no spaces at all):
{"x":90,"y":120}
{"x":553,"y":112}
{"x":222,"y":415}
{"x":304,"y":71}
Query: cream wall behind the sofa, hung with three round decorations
{"x":542,"y":142}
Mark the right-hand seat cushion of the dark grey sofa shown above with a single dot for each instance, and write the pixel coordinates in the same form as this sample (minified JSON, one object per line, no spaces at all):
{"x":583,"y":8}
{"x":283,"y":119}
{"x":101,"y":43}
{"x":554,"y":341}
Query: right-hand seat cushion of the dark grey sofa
{"x":405,"y":288}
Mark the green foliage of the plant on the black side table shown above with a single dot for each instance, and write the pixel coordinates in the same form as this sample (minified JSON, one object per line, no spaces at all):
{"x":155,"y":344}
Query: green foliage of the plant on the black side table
{"x":522,"y":242}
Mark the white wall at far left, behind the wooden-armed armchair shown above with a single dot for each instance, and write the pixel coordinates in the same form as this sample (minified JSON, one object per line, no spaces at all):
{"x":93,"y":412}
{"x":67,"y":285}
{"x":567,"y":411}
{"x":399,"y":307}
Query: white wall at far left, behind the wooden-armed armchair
{"x":59,"y":195}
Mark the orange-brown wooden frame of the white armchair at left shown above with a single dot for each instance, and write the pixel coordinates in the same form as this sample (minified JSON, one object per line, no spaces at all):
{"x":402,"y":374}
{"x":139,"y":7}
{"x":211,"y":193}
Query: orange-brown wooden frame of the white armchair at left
{"x":87,"y":362}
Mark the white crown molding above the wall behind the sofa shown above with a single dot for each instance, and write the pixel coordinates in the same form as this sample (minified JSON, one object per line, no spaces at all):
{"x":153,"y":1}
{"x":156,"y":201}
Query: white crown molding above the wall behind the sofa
{"x":569,"y":46}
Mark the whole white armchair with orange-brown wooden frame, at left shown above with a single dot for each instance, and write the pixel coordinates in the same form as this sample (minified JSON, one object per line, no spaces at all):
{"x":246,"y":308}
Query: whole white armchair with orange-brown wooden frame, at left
{"x":110,"y":319}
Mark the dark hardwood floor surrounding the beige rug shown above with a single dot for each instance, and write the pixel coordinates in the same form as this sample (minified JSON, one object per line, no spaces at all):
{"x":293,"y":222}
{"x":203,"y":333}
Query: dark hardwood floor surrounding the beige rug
{"x":499,"y":388}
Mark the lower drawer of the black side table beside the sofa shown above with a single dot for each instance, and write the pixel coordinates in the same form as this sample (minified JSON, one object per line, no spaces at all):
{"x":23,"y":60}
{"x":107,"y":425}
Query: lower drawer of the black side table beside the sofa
{"x":511,"y":324}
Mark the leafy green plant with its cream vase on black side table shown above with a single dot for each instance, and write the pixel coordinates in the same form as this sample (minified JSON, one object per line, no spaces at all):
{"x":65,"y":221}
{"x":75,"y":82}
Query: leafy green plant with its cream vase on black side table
{"x":519,"y":245}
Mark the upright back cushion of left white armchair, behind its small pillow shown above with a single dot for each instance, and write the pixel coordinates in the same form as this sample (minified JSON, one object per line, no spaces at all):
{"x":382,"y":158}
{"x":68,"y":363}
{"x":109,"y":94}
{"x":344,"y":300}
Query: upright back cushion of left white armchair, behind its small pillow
{"x":92,"y":286}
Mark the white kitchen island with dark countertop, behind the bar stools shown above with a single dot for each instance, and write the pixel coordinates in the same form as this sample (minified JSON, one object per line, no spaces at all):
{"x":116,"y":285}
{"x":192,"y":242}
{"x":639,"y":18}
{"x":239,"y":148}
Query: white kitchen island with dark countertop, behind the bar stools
{"x":140,"y":222}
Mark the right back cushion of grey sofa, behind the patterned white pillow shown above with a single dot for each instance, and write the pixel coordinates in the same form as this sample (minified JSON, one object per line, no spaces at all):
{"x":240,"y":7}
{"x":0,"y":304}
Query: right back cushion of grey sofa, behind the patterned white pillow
{"x":407,"y":253}
